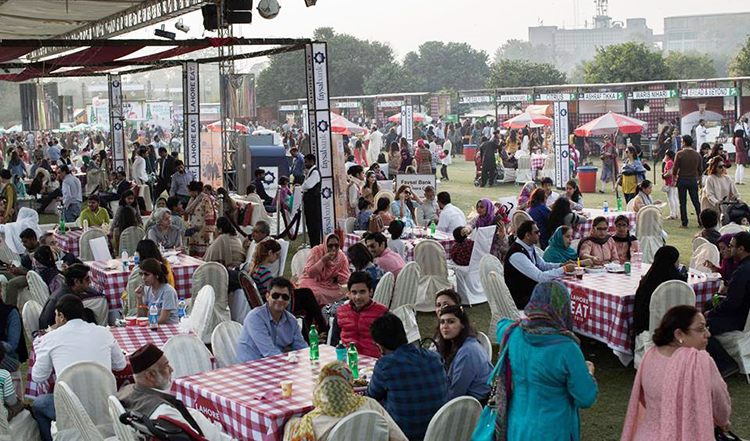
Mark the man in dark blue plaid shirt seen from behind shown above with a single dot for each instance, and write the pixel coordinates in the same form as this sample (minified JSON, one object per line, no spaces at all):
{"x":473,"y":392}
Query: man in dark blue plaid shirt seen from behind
{"x":409,"y":381}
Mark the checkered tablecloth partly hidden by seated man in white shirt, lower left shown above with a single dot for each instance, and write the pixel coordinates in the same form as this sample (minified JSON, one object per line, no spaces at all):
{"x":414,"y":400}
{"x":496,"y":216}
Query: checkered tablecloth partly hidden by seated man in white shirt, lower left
{"x":129,"y":338}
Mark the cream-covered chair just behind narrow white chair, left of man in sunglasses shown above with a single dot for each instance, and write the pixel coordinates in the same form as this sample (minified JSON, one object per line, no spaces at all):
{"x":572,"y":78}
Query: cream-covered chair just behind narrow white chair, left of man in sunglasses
{"x":215,"y":275}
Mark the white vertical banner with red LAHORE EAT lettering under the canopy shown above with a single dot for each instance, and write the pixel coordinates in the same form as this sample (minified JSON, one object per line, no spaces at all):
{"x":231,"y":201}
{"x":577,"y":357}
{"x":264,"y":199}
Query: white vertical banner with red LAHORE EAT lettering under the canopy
{"x":191,"y":117}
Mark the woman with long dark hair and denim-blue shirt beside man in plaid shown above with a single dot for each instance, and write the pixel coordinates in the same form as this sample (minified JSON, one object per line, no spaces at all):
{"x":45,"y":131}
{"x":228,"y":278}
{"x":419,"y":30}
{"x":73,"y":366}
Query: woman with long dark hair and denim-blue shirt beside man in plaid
{"x":469,"y":366}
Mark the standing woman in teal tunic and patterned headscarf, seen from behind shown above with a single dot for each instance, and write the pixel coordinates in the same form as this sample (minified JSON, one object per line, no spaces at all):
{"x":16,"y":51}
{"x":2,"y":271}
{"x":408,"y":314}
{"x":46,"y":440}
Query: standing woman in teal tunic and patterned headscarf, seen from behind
{"x":542,"y":379}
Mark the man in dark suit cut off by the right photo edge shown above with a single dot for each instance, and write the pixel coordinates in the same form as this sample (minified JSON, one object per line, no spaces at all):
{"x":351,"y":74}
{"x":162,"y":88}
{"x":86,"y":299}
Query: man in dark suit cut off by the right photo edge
{"x":731,"y":314}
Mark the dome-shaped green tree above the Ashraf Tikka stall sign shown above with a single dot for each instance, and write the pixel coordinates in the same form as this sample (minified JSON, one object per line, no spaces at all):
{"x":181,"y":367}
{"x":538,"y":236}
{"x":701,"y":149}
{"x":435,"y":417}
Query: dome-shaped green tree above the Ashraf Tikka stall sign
{"x":626,"y":62}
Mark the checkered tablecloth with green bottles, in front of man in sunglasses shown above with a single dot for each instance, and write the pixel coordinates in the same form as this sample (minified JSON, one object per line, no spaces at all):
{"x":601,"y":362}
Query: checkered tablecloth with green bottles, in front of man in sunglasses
{"x":246,"y":398}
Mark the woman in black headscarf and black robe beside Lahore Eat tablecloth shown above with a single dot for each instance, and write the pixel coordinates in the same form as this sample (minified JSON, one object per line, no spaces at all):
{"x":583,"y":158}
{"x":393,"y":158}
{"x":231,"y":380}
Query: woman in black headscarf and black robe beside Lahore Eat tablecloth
{"x":664,"y":268}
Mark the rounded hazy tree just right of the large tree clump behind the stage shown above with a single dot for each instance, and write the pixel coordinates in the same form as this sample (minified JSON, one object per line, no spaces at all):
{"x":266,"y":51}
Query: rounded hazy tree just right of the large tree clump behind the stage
{"x":446,"y":66}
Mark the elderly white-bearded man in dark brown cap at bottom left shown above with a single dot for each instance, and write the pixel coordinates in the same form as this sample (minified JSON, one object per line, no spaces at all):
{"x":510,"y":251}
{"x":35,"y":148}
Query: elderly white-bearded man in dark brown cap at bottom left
{"x":148,"y":396}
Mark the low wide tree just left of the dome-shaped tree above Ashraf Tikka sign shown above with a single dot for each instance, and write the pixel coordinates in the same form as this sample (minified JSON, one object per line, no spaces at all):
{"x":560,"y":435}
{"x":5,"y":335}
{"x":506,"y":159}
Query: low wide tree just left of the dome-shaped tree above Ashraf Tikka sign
{"x":523,"y":73}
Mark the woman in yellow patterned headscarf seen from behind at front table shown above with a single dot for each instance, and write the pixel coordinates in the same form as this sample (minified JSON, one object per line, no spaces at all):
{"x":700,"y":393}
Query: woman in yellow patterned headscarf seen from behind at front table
{"x":334,"y":399}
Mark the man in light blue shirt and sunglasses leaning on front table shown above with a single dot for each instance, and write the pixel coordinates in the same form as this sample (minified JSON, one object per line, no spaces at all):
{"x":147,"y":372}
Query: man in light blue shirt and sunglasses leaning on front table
{"x":270,"y":329}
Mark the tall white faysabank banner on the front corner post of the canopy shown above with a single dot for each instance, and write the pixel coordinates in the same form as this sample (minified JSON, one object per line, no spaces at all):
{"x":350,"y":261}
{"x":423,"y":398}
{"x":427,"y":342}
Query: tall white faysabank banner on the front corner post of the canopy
{"x":319,"y":123}
